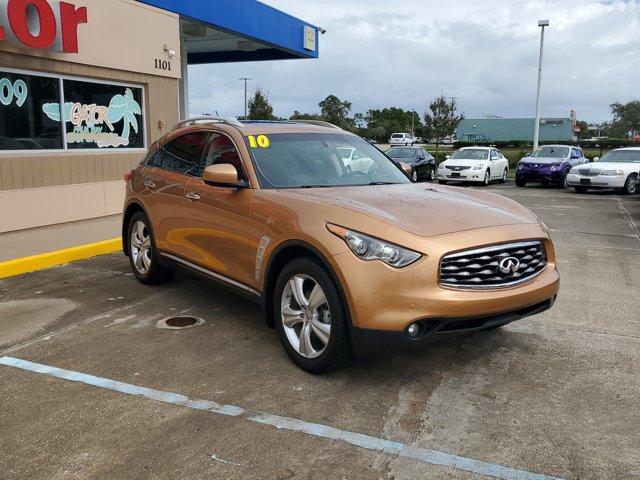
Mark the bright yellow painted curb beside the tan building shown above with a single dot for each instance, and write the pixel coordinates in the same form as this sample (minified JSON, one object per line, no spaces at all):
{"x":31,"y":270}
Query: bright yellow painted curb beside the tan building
{"x":19,"y":266}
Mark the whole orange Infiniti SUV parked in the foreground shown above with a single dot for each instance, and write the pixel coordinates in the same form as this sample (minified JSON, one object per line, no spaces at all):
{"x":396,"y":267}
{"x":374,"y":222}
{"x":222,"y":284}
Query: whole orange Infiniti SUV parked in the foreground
{"x":343,"y":260}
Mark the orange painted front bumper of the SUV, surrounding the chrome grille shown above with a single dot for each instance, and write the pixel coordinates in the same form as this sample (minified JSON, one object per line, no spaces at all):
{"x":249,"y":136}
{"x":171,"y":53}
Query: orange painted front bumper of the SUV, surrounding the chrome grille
{"x":380,"y":297}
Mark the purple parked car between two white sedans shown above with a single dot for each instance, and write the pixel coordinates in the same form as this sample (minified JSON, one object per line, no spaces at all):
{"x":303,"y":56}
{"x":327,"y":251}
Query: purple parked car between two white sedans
{"x":549,"y":164}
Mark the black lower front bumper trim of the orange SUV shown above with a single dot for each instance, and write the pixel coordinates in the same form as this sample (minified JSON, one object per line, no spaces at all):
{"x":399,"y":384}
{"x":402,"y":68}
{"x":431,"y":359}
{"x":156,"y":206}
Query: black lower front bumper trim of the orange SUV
{"x":372,"y":342}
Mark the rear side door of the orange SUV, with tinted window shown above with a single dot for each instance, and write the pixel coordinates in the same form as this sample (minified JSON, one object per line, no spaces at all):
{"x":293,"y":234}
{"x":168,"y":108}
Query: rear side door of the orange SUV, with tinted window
{"x":165,"y":177}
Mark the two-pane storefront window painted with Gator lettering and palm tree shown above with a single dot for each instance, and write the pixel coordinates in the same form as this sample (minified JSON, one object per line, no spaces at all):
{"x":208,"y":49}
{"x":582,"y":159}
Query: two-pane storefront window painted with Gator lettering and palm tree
{"x":97,"y":115}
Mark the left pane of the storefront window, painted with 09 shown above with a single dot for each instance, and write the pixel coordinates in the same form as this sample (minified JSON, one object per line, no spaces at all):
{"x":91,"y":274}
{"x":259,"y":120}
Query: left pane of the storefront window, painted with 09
{"x":23,"y":123}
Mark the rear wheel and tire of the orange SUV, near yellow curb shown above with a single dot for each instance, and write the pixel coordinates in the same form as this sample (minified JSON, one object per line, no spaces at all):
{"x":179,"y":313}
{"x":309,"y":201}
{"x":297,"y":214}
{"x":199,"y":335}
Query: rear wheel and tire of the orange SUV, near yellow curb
{"x":143,"y":256}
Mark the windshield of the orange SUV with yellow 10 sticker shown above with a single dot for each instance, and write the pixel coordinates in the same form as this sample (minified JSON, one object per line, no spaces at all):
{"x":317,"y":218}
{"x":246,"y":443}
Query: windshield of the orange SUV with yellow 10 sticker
{"x":305,"y":160}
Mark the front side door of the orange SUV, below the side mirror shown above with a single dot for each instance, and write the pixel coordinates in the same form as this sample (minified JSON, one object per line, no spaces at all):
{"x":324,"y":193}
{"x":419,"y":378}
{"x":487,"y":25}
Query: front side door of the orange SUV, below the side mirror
{"x":217,"y":223}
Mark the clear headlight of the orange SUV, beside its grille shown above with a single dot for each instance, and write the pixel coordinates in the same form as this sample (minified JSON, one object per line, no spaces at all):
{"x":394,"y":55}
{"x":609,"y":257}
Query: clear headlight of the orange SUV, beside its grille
{"x":369,"y":248}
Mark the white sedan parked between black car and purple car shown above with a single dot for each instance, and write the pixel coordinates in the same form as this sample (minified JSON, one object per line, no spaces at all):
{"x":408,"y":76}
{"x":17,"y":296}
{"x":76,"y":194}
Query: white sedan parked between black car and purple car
{"x":474,"y":164}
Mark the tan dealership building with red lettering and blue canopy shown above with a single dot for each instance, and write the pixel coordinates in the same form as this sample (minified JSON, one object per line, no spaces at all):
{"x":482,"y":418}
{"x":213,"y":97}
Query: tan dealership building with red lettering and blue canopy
{"x":87,"y":85}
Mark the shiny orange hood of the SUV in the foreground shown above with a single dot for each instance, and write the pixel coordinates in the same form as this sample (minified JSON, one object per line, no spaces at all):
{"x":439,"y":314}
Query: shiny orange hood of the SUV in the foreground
{"x":423,"y":210}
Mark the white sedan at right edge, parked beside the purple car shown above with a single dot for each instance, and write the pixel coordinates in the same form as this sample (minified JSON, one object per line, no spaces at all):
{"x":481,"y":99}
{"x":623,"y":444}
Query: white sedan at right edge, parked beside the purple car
{"x":619,"y":169}
